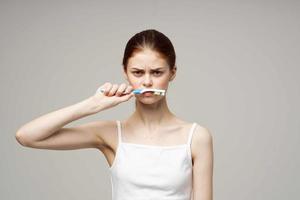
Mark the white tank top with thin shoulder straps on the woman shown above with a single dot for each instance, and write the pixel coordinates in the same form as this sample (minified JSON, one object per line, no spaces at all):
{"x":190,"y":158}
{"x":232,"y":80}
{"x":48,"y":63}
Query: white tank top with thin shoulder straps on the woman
{"x":149,"y":172}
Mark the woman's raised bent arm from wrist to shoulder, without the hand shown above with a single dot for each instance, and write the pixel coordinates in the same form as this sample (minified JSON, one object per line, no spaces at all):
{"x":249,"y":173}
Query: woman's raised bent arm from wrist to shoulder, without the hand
{"x":46,"y":132}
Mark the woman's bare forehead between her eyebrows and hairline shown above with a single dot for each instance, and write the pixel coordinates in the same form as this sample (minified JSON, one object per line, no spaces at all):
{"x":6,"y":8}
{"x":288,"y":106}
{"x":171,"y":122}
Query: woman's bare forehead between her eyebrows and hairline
{"x":147,"y":59}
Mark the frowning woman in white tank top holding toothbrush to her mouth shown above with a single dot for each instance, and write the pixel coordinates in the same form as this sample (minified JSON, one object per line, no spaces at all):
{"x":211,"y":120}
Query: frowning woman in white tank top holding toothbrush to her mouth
{"x":152,"y":154}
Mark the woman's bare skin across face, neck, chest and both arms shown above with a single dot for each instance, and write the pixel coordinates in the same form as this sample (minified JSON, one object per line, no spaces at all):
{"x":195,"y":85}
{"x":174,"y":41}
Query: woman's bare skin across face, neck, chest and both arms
{"x":152,"y":123}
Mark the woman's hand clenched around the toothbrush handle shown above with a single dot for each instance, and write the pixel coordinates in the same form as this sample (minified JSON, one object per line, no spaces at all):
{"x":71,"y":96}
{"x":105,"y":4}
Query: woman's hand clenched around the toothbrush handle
{"x":113,"y":95}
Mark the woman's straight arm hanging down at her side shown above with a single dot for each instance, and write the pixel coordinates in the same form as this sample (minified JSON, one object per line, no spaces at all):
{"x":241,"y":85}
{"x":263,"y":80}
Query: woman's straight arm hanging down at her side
{"x":203,"y":164}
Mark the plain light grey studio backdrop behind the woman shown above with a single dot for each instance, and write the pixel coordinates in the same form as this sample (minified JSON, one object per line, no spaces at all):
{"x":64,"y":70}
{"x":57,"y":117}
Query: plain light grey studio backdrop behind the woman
{"x":238,"y":75}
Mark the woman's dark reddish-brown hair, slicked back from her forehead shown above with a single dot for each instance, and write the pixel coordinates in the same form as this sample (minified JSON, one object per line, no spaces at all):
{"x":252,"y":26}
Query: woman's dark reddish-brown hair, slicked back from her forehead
{"x":153,"y":40}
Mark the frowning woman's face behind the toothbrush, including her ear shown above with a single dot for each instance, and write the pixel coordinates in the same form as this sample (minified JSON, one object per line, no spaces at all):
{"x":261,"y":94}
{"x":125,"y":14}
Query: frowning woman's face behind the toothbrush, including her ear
{"x":146,"y":69}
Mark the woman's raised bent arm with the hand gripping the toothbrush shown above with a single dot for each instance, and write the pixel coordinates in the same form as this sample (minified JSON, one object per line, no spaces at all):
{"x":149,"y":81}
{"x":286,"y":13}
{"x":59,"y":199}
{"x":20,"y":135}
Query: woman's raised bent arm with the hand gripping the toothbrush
{"x":47,"y":132}
